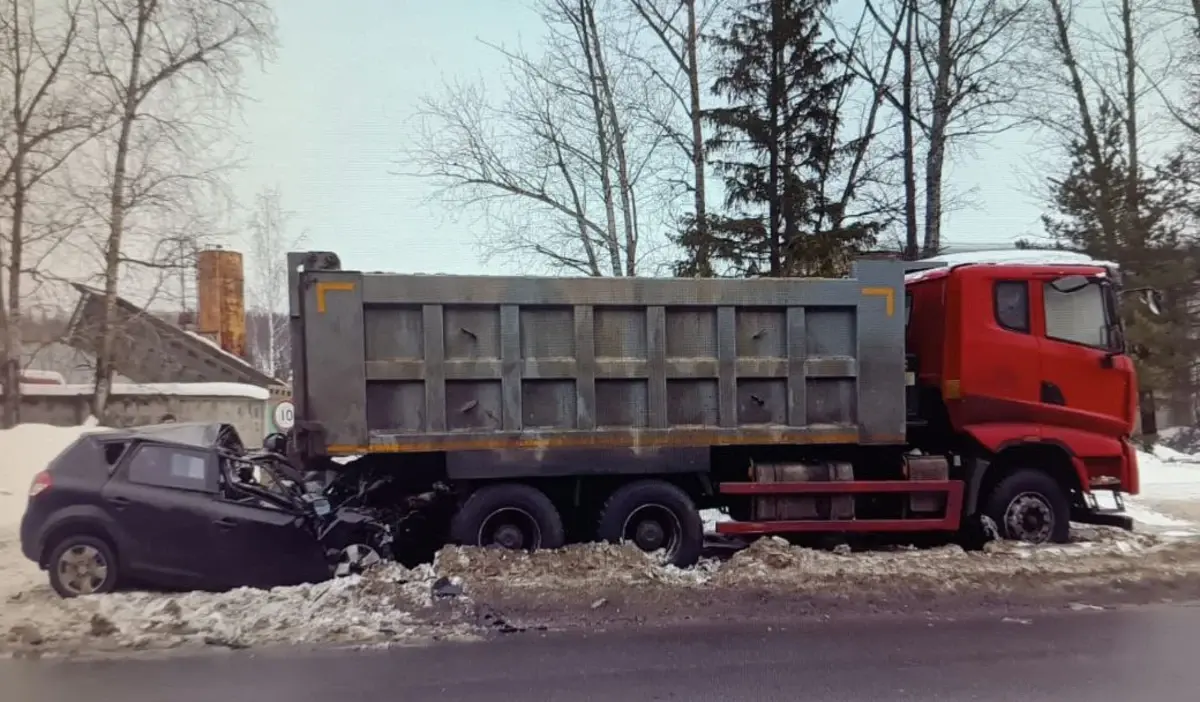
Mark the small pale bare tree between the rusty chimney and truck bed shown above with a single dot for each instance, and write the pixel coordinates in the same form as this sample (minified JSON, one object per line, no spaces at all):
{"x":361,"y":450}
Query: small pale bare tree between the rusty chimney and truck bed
{"x":268,"y":291}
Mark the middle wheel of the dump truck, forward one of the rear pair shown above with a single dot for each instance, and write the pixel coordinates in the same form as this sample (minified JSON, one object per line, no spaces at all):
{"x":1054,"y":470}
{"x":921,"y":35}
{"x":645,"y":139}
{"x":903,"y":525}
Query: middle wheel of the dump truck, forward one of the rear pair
{"x":655,"y":515}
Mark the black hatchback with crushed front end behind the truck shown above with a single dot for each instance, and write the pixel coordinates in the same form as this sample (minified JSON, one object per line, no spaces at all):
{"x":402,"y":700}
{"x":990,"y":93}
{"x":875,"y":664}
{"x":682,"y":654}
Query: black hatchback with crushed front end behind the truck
{"x":185,"y":506}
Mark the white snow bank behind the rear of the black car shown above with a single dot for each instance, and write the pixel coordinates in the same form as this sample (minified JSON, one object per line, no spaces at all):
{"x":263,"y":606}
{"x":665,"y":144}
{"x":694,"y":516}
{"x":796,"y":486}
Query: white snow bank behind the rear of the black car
{"x":25,"y":452}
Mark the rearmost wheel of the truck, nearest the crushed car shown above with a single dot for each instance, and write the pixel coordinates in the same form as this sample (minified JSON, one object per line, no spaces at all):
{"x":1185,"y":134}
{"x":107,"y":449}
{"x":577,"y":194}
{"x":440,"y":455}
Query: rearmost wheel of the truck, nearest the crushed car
{"x":509,"y":515}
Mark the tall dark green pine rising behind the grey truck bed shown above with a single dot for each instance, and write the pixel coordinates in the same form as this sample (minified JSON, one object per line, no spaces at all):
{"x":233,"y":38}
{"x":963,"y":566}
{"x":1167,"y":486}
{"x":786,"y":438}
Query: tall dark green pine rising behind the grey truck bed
{"x":776,"y":146}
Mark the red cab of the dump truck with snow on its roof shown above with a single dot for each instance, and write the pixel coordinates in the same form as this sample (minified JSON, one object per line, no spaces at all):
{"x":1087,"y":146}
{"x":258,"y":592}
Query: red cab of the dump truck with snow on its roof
{"x":1022,"y":363}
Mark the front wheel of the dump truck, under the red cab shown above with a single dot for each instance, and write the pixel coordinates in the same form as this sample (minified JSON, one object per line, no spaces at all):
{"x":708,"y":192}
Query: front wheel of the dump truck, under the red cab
{"x":1030,"y":506}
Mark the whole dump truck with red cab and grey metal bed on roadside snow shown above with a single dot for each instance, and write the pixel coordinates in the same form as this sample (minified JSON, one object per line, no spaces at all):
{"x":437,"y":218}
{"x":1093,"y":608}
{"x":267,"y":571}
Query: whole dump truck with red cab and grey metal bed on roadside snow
{"x":533,"y":412}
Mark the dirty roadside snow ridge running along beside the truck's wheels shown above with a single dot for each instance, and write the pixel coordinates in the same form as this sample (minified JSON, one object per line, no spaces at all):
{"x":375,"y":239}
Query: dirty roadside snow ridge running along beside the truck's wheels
{"x":1096,"y":553}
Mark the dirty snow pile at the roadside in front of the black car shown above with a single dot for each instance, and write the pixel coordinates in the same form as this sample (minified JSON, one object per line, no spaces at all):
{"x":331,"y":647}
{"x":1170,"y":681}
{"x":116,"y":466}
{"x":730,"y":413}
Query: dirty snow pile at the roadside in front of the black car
{"x":386,"y":605}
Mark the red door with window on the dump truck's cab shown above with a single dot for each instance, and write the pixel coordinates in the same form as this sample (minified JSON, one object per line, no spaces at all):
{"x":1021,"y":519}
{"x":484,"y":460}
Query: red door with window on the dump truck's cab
{"x":1087,"y":381}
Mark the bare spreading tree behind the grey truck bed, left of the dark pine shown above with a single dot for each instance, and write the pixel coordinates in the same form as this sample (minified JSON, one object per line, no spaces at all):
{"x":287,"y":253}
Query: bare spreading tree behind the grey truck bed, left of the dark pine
{"x":566,"y":170}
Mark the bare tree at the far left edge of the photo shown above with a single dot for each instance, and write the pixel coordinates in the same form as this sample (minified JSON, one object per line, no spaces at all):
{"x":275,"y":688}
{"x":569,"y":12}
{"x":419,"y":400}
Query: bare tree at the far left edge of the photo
{"x":44,"y":124}
